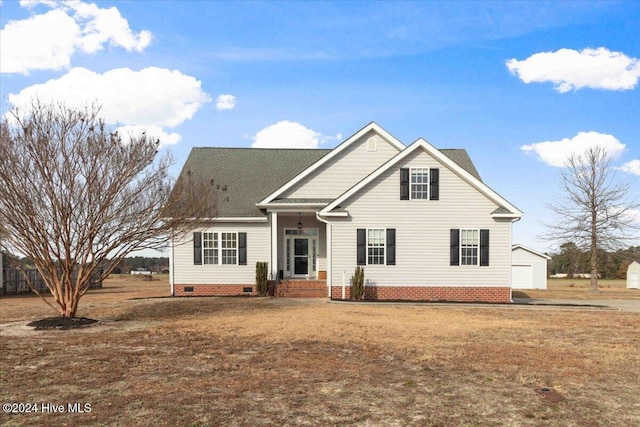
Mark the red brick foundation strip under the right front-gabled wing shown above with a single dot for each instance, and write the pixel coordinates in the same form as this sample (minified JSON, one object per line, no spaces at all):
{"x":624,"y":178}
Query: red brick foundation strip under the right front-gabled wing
{"x":440,"y":293}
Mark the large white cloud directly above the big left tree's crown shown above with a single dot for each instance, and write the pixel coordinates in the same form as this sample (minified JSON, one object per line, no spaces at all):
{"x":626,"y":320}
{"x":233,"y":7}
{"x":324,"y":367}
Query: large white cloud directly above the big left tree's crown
{"x":154,"y":98}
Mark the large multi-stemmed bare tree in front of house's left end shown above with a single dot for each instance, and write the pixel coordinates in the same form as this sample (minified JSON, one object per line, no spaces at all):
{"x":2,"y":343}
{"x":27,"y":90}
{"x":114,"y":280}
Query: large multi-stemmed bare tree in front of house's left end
{"x":76,"y":198}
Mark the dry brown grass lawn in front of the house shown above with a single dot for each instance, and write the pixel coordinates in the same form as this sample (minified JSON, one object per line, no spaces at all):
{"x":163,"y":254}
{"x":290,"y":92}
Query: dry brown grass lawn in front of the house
{"x":262,"y":361}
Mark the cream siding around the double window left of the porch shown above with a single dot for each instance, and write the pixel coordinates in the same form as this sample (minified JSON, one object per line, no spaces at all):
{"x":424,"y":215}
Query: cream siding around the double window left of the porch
{"x":258,"y":249}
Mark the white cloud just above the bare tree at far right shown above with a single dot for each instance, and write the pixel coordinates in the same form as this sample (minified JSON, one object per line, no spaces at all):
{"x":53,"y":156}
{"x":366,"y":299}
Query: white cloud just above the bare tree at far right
{"x":556,"y":153}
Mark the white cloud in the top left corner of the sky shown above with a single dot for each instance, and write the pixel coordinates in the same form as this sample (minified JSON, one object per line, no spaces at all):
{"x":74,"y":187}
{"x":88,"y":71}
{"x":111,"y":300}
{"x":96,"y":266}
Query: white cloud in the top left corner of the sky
{"x":48,"y":41}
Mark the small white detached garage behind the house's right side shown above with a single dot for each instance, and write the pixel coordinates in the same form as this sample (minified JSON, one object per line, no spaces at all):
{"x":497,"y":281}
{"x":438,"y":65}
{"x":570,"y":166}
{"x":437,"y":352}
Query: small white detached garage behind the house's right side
{"x":528,"y":268}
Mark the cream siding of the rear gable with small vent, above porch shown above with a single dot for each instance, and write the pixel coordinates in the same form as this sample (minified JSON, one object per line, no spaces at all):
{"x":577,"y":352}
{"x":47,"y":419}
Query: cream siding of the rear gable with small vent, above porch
{"x":343,"y":171}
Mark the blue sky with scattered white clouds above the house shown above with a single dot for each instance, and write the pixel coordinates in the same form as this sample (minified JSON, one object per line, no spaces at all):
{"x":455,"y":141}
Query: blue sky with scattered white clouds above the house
{"x":519,"y":85}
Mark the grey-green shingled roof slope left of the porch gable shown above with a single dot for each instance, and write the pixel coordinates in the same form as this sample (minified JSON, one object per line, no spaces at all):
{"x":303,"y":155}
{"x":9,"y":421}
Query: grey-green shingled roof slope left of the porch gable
{"x":248,"y":174}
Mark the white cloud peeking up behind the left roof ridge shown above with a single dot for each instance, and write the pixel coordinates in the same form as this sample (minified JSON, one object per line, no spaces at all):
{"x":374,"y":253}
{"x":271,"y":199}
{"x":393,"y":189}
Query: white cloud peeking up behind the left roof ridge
{"x":286,"y":134}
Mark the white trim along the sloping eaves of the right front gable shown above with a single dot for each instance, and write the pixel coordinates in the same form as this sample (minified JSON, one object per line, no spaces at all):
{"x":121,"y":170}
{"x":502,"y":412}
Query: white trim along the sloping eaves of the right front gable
{"x":474,"y":181}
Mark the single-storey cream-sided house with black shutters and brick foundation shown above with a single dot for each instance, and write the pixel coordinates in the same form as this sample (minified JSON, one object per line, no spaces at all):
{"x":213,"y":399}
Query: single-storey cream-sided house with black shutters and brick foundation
{"x":420,"y":220}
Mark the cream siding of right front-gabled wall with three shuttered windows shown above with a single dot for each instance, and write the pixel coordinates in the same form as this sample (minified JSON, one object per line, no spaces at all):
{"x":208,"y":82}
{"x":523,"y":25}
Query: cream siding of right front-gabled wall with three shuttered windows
{"x":422,"y":232}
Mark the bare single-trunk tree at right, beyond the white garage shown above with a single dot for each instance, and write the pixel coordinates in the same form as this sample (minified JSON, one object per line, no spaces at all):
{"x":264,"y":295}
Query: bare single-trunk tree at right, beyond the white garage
{"x":594,"y":211}
